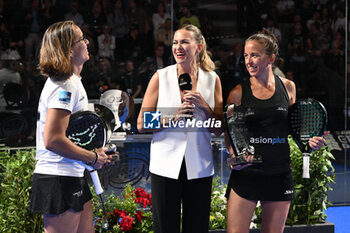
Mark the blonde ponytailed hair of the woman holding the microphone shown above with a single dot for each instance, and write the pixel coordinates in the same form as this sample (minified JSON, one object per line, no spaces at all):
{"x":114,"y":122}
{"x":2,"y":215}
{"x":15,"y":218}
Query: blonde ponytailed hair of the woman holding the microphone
{"x":205,"y":61}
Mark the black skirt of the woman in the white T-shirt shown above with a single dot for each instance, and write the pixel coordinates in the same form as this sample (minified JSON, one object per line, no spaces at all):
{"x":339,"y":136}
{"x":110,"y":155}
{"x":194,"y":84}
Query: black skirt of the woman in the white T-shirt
{"x":53,"y":194}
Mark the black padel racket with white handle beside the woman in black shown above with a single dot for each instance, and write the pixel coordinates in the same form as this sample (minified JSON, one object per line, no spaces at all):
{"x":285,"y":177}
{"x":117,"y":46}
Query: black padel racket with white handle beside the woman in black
{"x":306,"y":118}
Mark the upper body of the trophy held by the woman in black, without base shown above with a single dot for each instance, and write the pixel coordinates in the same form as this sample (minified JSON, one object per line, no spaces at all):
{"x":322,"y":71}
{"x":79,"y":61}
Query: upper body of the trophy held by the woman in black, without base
{"x":237,"y":131}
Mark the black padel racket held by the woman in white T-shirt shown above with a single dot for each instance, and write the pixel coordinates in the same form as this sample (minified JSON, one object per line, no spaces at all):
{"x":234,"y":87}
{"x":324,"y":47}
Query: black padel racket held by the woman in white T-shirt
{"x":89,"y":131}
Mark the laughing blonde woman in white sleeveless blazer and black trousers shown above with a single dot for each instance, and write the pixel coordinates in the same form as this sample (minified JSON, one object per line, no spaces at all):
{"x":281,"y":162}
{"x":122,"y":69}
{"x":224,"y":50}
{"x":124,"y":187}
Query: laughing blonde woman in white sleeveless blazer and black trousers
{"x":182,"y":121}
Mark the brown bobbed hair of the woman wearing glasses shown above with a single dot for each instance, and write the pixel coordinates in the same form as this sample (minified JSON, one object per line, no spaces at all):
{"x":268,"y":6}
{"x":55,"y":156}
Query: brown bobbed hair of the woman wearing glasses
{"x":55,"y":60}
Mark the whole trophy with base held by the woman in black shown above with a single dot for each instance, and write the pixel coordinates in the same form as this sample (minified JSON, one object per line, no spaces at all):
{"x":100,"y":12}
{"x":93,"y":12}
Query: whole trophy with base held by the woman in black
{"x":237,"y":131}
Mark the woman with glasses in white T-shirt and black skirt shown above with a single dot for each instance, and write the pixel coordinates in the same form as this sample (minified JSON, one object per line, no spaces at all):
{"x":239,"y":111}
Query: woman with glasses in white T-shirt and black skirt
{"x":59,"y":189}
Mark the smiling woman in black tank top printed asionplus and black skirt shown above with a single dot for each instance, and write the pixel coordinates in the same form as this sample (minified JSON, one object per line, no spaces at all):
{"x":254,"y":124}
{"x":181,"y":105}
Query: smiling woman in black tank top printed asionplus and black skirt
{"x":267,"y":98}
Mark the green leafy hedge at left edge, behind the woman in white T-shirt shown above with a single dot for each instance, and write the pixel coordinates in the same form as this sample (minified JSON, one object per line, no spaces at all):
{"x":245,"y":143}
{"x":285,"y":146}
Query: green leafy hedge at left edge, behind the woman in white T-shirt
{"x":16,"y":180}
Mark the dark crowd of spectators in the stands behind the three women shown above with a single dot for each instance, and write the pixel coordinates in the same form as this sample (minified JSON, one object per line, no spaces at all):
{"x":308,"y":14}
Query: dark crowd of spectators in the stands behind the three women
{"x":131,"y":39}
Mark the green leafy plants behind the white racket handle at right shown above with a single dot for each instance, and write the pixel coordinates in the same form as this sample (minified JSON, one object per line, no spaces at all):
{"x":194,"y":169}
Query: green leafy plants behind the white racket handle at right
{"x":311,"y":194}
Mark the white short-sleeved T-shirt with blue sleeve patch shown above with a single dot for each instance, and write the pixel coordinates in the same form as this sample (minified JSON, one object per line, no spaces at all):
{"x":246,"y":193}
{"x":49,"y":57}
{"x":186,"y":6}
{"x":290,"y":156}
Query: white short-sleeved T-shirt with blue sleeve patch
{"x":69,"y":95}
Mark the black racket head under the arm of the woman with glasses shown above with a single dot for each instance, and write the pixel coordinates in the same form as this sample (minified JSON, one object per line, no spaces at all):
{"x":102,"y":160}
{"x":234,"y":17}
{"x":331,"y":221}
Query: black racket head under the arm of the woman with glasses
{"x":87,"y":130}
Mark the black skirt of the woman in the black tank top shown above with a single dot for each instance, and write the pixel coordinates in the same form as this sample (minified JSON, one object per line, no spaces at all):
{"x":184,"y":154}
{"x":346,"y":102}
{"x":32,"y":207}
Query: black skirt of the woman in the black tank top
{"x":279,"y":187}
